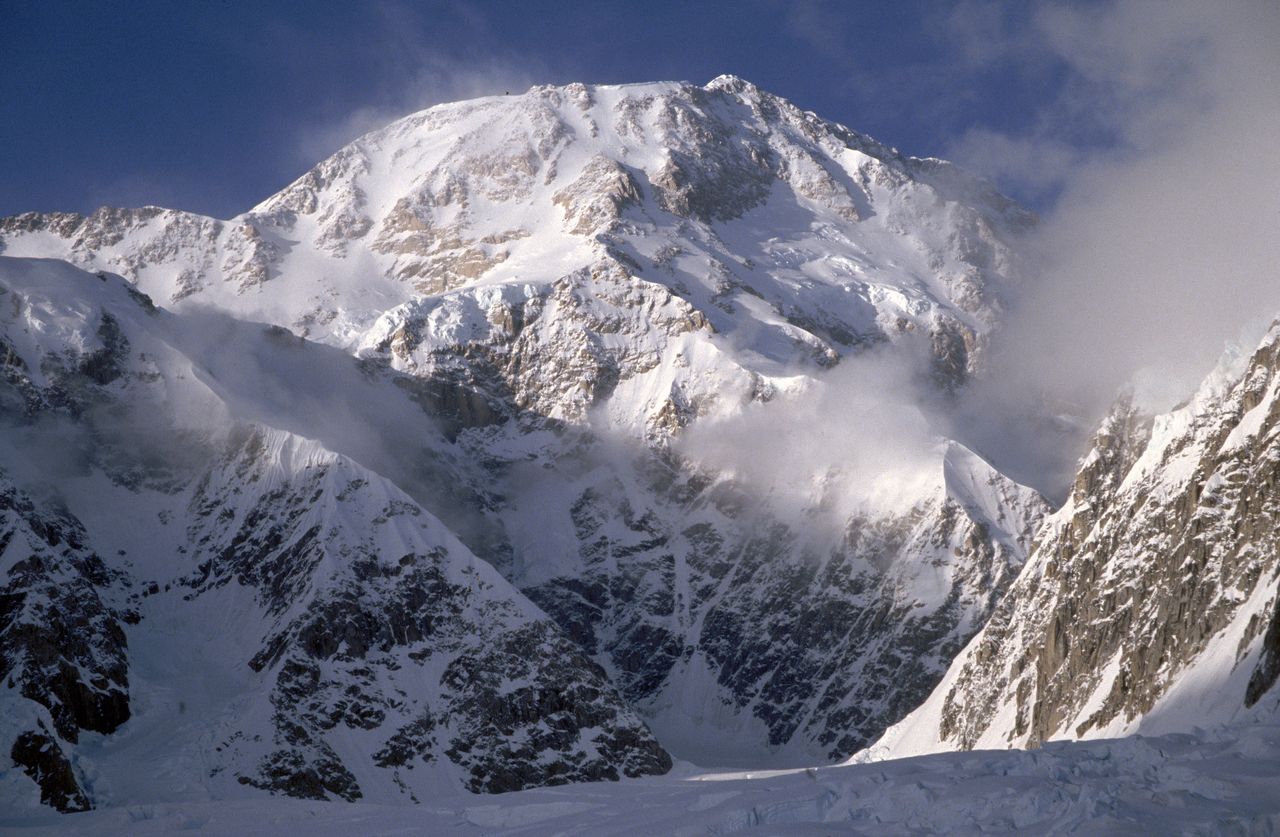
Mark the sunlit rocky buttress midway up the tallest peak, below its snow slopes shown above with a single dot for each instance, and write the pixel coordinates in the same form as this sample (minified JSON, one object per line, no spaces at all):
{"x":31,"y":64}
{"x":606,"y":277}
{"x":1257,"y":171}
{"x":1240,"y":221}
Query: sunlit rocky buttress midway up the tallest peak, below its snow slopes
{"x":551,"y":353}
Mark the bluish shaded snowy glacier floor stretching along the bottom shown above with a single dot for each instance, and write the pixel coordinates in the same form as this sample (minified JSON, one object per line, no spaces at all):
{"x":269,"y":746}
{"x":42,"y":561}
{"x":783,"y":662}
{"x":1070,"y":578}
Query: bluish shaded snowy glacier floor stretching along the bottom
{"x":1226,"y":781}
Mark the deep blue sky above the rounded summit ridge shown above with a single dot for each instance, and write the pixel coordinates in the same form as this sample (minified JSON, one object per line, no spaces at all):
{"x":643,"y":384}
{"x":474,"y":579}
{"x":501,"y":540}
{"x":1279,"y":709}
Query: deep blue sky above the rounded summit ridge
{"x":212,"y":107}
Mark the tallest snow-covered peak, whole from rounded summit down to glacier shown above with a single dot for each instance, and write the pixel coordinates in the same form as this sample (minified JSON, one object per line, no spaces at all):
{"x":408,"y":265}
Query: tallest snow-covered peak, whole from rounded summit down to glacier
{"x":569,"y":282}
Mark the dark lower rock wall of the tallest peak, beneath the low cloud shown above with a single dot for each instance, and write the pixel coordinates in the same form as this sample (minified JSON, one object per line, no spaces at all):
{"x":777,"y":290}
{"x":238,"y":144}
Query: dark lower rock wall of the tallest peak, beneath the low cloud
{"x":806,"y":647}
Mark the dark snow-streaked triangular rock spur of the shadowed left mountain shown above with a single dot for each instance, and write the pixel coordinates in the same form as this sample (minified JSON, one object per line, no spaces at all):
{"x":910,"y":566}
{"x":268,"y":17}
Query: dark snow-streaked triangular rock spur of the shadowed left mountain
{"x":365,"y":624}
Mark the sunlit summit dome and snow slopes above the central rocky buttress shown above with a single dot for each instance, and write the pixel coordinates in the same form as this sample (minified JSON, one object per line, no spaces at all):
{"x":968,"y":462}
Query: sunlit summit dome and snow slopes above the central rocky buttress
{"x":721,"y":194}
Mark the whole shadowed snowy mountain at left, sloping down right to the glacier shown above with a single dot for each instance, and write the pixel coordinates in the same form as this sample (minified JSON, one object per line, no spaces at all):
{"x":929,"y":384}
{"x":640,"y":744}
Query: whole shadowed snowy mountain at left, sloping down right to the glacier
{"x":194,"y":603}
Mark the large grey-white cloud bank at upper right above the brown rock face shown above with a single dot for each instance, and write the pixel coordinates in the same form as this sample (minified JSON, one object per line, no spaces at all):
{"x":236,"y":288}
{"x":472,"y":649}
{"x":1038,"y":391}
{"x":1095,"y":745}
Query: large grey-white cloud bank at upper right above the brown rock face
{"x":1165,"y":241}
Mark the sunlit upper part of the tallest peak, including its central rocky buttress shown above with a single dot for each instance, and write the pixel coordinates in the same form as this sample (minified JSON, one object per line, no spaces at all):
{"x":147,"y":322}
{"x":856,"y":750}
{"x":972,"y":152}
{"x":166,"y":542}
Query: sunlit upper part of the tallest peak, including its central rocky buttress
{"x":509,"y":227}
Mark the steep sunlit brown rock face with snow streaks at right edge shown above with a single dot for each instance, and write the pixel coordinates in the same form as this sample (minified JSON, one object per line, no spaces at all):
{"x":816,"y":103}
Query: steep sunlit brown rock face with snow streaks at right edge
{"x":1151,"y":602}
